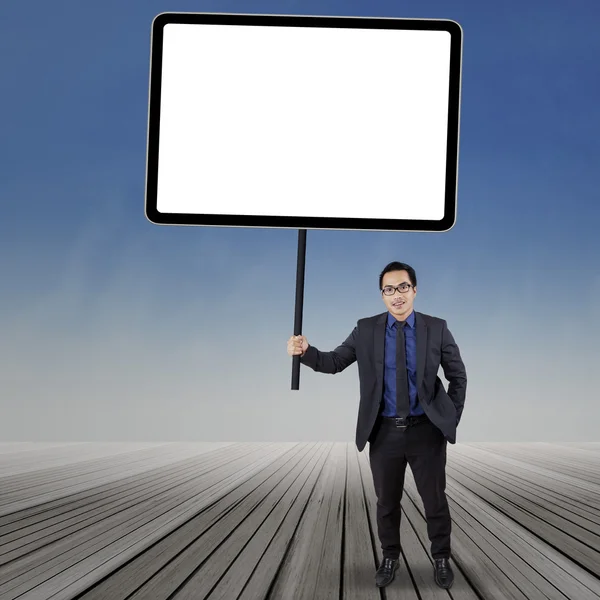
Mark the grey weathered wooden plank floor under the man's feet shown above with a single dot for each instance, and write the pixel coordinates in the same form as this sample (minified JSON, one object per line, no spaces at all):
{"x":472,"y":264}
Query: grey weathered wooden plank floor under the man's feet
{"x":289,"y":521}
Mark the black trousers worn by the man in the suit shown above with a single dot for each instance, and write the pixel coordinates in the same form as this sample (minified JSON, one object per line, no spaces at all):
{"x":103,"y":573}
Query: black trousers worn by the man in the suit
{"x":423,"y":447}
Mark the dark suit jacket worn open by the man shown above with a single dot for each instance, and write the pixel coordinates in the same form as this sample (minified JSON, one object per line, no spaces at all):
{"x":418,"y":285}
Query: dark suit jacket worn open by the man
{"x":435,"y":347}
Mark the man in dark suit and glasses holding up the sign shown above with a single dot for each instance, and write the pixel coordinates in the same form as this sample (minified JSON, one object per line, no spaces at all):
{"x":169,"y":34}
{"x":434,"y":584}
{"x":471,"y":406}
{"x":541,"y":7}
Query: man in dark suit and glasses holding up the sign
{"x":405,"y":413}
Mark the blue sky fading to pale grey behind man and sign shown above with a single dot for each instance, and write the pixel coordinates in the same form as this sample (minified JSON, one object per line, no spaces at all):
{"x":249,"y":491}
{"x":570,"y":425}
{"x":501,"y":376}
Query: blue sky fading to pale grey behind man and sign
{"x":115,"y":328}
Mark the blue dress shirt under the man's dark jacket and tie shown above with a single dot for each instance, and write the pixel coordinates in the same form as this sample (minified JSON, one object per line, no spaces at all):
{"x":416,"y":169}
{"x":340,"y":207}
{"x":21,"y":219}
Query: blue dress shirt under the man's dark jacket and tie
{"x":389,"y":370}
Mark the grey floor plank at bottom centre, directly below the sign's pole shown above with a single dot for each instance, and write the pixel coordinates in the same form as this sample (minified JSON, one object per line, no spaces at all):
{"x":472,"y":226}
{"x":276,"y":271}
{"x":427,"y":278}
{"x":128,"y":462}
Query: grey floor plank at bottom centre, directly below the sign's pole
{"x":312,"y":565}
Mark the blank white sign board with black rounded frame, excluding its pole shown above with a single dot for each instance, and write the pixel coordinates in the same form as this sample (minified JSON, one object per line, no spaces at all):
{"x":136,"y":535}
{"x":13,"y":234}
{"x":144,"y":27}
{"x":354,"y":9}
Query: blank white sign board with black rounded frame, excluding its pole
{"x":303,"y":122}
